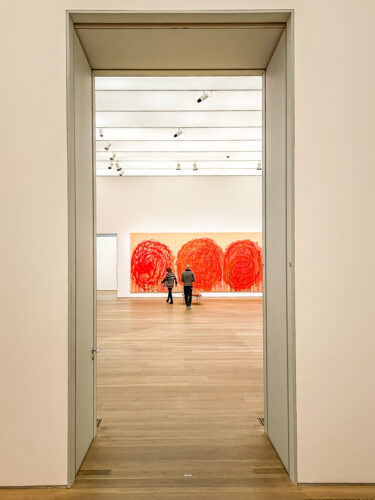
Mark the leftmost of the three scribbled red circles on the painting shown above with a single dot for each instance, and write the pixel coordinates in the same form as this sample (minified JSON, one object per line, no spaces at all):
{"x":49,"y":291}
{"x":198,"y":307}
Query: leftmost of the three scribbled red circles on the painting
{"x":149,"y":261}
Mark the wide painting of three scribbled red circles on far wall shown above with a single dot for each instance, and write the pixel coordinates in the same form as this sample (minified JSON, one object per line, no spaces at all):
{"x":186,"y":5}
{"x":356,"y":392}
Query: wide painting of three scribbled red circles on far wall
{"x":221,"y":262}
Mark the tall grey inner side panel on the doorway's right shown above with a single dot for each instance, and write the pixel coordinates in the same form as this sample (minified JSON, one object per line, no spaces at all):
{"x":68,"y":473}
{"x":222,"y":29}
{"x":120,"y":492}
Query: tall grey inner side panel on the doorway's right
{"x":279,"y":358}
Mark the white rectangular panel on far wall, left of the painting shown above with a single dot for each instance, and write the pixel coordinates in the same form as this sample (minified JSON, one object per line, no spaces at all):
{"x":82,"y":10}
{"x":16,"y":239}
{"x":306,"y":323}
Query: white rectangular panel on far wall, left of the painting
{"x":106,"y":262}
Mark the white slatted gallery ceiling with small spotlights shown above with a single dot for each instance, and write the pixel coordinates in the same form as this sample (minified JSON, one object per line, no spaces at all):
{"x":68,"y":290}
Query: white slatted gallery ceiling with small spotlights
{"x":140,"y":115}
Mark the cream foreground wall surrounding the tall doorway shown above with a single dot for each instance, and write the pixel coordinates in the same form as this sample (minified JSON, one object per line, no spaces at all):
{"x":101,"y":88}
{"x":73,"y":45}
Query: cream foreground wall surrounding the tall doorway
{"x":335,"y":244}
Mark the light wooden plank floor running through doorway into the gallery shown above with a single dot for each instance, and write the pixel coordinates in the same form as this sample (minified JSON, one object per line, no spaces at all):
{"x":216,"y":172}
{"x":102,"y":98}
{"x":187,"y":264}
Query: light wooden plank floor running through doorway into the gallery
{"x":179,"y":394}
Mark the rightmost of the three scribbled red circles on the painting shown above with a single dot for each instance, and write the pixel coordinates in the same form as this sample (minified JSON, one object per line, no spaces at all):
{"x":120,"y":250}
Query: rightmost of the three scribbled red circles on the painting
{"x":243,"y":265}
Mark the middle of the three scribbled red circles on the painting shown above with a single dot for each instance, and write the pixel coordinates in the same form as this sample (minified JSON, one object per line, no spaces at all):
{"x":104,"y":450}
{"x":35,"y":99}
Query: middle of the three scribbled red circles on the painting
{"x":205,"y":258}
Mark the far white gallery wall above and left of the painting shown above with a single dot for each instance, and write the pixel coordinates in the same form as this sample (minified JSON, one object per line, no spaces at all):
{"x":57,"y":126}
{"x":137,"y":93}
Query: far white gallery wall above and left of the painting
{"x":170,"y":204}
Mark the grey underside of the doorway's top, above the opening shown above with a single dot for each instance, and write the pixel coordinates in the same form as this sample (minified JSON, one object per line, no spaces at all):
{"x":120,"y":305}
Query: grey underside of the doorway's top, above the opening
{"x":238,"y":46}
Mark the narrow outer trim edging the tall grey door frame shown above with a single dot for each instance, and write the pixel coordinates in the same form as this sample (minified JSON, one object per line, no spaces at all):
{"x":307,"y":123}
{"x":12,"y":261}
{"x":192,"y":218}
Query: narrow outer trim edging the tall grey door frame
{"x":289,"y":217}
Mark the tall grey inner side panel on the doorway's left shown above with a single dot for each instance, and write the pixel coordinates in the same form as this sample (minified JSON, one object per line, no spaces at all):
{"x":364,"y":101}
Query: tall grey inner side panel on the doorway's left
{"x":82,"y":261}
